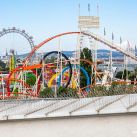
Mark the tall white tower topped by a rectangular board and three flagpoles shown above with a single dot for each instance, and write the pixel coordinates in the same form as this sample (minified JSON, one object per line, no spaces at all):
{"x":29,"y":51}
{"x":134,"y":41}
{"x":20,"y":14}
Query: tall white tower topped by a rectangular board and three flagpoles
{"x":88,"y":24}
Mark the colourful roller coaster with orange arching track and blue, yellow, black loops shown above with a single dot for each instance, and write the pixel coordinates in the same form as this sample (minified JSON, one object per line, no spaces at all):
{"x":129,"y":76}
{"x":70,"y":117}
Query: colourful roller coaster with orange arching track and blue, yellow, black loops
{"x":54,"y":74}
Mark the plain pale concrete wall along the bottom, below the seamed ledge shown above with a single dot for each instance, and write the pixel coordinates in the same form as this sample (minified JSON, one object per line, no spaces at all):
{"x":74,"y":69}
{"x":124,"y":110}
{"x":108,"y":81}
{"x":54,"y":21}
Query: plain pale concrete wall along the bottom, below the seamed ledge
{"x":102,"y":126}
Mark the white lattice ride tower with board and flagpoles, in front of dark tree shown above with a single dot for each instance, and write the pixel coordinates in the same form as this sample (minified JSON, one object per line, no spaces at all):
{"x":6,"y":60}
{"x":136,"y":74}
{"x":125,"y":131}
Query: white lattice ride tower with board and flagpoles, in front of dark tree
{"x":89,"y":24}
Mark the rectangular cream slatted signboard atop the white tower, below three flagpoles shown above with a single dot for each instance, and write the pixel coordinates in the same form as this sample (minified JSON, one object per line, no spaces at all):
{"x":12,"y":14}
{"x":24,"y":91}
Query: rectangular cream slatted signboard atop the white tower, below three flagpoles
{"x":88,"y":22}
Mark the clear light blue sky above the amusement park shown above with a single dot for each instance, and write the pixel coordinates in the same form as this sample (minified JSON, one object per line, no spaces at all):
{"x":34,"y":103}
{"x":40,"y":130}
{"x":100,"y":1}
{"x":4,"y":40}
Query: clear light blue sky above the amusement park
{"x":45,"y":18}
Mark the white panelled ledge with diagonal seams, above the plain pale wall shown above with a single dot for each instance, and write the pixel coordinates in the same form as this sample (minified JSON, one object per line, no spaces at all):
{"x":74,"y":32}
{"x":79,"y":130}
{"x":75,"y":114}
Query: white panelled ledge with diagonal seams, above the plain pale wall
{"x":47,"y":107}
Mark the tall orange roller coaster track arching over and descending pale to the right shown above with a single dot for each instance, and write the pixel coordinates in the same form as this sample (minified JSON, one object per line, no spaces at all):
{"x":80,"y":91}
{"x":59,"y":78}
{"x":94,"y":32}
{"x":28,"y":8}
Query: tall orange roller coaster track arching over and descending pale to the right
{"x":92,"y":35}
